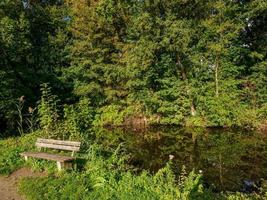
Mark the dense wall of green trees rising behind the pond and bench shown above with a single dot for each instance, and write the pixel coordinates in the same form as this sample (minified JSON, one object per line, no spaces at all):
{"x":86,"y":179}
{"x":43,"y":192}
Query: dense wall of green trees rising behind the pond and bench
{"x":185,"y":62}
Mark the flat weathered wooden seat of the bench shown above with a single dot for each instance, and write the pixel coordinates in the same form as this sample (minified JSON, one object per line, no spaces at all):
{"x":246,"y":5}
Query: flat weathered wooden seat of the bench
{"x":48,"y":156}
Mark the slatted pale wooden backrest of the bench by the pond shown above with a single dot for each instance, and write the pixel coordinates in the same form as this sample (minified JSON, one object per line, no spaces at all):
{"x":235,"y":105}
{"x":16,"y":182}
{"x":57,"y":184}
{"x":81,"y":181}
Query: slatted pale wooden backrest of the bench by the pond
{"x":58,"y":144}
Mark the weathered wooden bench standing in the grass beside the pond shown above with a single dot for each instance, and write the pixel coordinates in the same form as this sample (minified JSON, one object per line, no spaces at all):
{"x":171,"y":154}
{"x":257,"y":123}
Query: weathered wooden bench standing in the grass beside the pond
{"x":62,"y":161}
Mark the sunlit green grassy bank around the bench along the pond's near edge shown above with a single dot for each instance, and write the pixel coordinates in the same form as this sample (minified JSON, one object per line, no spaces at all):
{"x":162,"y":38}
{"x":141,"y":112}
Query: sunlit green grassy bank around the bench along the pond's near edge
{"x":104,"y":174}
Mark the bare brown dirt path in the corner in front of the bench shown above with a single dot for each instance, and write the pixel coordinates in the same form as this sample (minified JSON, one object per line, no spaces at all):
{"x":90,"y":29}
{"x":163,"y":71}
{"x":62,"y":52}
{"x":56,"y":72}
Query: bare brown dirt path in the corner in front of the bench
{"x":8,"y":185}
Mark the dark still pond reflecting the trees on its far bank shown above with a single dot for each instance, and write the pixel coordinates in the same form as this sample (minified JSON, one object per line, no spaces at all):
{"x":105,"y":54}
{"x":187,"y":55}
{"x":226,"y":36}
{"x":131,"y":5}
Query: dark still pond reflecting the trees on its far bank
{"x":229,"y":159}
